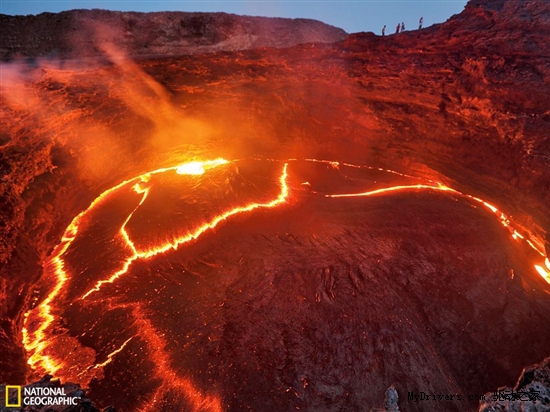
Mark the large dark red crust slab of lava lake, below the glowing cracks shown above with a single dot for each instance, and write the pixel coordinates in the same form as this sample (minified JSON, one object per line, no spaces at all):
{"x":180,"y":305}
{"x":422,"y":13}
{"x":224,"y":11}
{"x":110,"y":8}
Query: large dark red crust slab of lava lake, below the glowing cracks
{"x":324,"y":305}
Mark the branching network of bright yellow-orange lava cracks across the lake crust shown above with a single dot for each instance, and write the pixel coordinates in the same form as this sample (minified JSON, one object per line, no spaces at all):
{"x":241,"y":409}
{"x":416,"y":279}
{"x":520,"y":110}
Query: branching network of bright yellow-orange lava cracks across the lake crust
{"x":40,"y":322}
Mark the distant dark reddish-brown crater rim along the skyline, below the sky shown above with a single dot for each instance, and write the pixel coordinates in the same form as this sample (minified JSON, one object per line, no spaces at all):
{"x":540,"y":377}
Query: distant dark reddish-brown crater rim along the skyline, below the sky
{"x":71,"y":33}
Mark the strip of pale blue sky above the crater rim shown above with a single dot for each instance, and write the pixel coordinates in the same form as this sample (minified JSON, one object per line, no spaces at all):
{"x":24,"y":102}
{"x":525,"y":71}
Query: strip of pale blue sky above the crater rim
{"x":350,"y":15}
